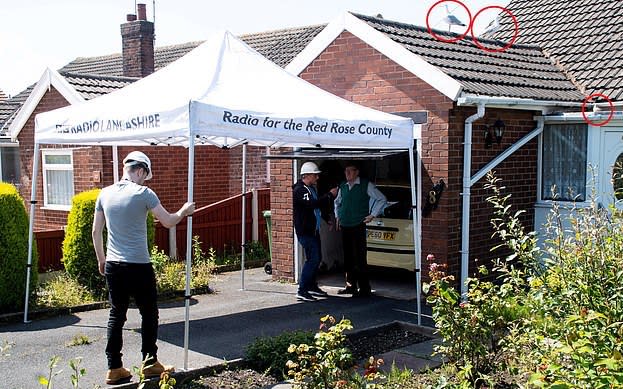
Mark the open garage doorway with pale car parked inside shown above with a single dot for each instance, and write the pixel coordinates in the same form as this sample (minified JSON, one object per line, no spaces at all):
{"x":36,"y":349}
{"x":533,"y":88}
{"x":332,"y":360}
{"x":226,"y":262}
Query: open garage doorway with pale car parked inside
{"x":390,"y":246}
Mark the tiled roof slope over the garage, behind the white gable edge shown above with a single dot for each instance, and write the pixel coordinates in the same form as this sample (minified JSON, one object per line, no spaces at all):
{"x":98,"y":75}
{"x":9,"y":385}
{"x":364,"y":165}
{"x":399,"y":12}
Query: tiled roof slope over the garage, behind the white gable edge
{"x":519,"y":71}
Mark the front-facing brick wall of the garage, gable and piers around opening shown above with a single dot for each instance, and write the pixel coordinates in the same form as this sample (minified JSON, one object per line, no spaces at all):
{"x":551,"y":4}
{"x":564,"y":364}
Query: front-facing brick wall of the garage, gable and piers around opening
{"x":357,"y":72}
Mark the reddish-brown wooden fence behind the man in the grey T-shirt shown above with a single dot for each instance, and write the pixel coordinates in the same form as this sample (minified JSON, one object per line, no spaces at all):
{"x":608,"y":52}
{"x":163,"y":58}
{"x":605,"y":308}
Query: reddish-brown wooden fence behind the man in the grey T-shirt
{"x":218,"y":226}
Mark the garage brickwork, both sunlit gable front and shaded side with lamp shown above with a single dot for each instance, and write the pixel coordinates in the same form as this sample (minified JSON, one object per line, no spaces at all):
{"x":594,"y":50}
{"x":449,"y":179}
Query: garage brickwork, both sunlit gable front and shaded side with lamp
{"x":357,"y":72}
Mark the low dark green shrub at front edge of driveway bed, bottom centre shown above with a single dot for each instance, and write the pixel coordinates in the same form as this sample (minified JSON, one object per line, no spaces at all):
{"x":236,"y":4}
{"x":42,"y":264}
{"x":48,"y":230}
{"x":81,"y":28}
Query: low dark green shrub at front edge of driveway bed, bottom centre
{"x":270,"y":354}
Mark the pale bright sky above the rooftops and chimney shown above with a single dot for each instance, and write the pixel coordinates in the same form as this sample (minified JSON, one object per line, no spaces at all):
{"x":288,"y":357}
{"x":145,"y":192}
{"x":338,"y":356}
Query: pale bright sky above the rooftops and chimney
{"x":40,"y":34}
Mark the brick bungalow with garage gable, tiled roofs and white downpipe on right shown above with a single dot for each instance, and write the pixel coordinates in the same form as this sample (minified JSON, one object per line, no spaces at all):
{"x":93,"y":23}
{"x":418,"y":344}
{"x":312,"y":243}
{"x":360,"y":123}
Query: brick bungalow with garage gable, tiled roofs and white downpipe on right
{"x":533,"y":90}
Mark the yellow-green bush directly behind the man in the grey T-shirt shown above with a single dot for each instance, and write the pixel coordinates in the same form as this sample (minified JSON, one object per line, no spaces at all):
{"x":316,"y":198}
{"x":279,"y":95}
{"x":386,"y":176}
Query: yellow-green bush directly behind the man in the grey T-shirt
{"x":78,"y":253}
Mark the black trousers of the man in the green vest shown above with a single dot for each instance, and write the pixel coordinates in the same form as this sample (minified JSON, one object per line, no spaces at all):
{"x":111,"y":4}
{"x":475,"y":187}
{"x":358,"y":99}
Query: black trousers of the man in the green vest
{"x":356,"y":257}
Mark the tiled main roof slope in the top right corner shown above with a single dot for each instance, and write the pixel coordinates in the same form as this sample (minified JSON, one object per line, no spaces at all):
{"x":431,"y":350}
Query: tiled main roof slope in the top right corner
{"x":581,"y":34}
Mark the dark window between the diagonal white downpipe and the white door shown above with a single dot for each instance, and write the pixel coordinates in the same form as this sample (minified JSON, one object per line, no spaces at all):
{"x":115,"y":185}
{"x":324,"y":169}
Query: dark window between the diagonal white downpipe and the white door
{"x":564,"y":162}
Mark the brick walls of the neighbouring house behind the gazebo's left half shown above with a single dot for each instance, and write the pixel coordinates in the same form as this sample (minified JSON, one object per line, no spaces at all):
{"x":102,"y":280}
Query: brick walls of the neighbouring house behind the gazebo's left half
{"x":217,"y":172}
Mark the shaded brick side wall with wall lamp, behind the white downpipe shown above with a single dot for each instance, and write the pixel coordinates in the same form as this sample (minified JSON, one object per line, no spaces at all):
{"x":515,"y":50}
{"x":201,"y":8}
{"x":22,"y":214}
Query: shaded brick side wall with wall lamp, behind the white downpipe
{"x":518,"y":174}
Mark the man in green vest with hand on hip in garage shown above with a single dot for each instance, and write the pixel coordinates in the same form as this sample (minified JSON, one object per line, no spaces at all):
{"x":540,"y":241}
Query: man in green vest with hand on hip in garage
{"x":352,"y":212}
